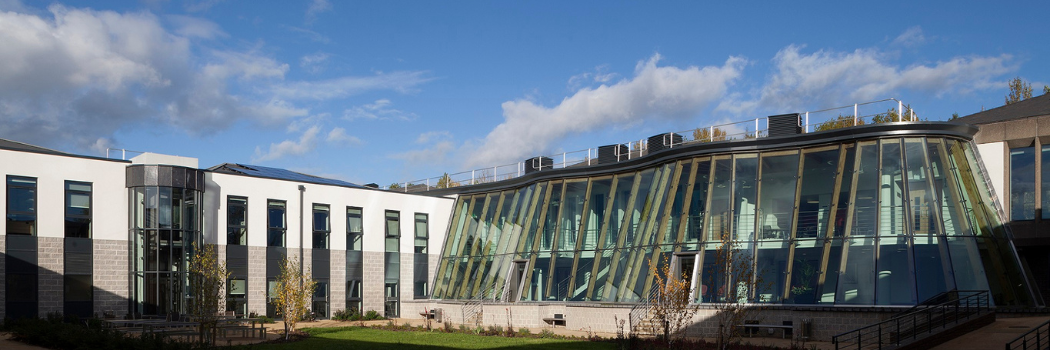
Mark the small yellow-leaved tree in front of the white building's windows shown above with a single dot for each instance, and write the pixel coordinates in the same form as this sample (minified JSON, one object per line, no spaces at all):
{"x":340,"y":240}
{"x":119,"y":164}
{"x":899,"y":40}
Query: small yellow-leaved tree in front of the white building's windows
{"x":293,"y":293}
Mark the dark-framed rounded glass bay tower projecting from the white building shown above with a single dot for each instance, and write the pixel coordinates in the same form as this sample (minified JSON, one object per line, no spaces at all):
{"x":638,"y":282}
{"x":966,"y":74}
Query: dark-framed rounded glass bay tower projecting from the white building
{"x":165,"y":223}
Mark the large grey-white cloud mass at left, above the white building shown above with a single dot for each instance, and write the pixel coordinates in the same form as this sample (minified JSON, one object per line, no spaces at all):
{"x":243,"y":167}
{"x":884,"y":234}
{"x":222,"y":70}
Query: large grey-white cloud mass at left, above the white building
{"x":72,"y":77}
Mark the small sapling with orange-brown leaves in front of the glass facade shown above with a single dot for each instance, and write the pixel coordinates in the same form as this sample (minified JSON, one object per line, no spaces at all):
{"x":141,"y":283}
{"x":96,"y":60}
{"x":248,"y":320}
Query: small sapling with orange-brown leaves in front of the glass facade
{"x":673,"y":307}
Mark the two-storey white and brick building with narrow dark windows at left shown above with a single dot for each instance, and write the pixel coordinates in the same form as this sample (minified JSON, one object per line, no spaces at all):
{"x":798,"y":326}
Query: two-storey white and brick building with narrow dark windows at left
{"x":92,"y":236}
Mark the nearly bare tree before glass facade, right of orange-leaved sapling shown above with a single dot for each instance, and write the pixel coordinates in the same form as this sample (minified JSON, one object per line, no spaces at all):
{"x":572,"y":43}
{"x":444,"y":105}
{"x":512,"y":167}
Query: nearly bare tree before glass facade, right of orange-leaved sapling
{"x":733,"y":277}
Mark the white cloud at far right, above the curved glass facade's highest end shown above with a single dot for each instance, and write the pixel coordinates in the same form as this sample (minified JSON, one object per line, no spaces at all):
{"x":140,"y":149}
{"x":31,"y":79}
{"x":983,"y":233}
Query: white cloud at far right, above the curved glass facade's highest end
{"x":827,"y":78}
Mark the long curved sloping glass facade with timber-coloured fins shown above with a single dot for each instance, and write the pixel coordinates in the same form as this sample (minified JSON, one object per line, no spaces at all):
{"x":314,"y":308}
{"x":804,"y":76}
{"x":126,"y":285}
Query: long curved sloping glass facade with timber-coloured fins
{"x":879,"y":221}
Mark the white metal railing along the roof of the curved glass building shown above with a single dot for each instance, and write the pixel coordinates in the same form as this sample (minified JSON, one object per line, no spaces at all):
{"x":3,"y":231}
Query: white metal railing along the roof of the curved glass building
{"x":869,"y":113}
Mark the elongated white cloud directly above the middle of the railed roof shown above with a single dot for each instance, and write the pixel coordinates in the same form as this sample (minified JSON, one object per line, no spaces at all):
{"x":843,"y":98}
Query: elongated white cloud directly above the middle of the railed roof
{"x":655,"y":92}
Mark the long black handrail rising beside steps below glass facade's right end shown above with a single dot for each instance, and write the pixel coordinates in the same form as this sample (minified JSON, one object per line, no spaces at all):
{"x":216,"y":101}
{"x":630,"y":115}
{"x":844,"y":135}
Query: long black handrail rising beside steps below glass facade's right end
{"x":918,"y":324}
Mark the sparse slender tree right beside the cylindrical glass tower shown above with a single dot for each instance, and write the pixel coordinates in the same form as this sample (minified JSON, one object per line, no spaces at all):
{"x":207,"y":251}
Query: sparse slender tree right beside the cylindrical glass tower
{"x":208,"y":277}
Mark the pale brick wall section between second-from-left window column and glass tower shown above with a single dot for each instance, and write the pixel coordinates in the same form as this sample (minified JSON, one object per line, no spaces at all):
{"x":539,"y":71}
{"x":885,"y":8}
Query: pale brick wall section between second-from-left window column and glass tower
{"x":111,"y":276}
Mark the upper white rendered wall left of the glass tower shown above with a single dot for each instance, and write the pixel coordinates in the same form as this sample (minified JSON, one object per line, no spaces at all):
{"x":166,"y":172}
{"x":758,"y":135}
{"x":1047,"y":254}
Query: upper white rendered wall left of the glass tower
{"x":110,"y":209}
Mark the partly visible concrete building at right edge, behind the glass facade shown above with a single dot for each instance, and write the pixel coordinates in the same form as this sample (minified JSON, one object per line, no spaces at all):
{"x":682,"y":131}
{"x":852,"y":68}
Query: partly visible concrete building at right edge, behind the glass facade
{"x":1015,"y":143}
